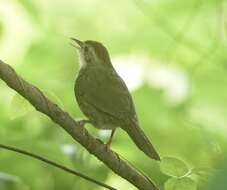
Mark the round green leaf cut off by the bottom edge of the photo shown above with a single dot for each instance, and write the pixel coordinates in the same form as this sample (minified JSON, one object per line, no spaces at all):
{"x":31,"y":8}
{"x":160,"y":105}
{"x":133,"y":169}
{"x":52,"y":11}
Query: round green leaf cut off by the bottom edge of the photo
{"x":180,"y":184}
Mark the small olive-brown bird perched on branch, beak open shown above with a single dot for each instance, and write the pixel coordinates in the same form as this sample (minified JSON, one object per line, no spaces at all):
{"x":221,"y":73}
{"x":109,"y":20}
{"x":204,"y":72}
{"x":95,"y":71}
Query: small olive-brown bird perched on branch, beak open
{"x":104,"y":98}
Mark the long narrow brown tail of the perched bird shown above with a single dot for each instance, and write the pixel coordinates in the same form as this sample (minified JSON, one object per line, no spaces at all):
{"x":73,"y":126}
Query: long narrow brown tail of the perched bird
{"x":141,"y":140}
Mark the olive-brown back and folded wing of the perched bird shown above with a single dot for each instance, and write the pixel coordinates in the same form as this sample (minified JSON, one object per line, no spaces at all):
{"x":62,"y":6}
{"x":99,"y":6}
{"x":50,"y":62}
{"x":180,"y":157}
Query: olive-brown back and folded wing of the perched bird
{"x":107,"y":92}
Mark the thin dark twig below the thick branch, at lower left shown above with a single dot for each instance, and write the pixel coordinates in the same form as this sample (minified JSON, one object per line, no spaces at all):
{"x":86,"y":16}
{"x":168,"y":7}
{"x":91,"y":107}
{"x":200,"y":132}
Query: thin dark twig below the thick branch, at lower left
{"x":37,"y":157}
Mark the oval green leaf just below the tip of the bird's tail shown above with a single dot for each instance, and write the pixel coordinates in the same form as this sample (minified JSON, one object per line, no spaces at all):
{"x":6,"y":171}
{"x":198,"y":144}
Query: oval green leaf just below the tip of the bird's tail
{"x":173,"y":167}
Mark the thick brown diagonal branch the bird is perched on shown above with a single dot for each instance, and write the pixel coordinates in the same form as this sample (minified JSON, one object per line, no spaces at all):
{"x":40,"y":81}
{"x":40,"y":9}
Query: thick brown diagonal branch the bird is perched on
{"x":78,"y":133}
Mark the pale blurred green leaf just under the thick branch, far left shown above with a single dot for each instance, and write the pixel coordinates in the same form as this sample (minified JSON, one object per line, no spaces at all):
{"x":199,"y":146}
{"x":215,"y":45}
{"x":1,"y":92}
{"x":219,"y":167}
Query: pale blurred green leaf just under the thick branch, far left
{"x":19,"y":106}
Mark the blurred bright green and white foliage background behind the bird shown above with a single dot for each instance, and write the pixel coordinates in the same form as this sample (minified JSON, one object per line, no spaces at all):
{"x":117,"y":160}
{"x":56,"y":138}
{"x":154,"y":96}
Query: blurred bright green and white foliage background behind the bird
{"x":172,"y":55}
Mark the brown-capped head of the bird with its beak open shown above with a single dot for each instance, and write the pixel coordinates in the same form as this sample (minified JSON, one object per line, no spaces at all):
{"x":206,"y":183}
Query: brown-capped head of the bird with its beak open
{"x":92,"y":52}
